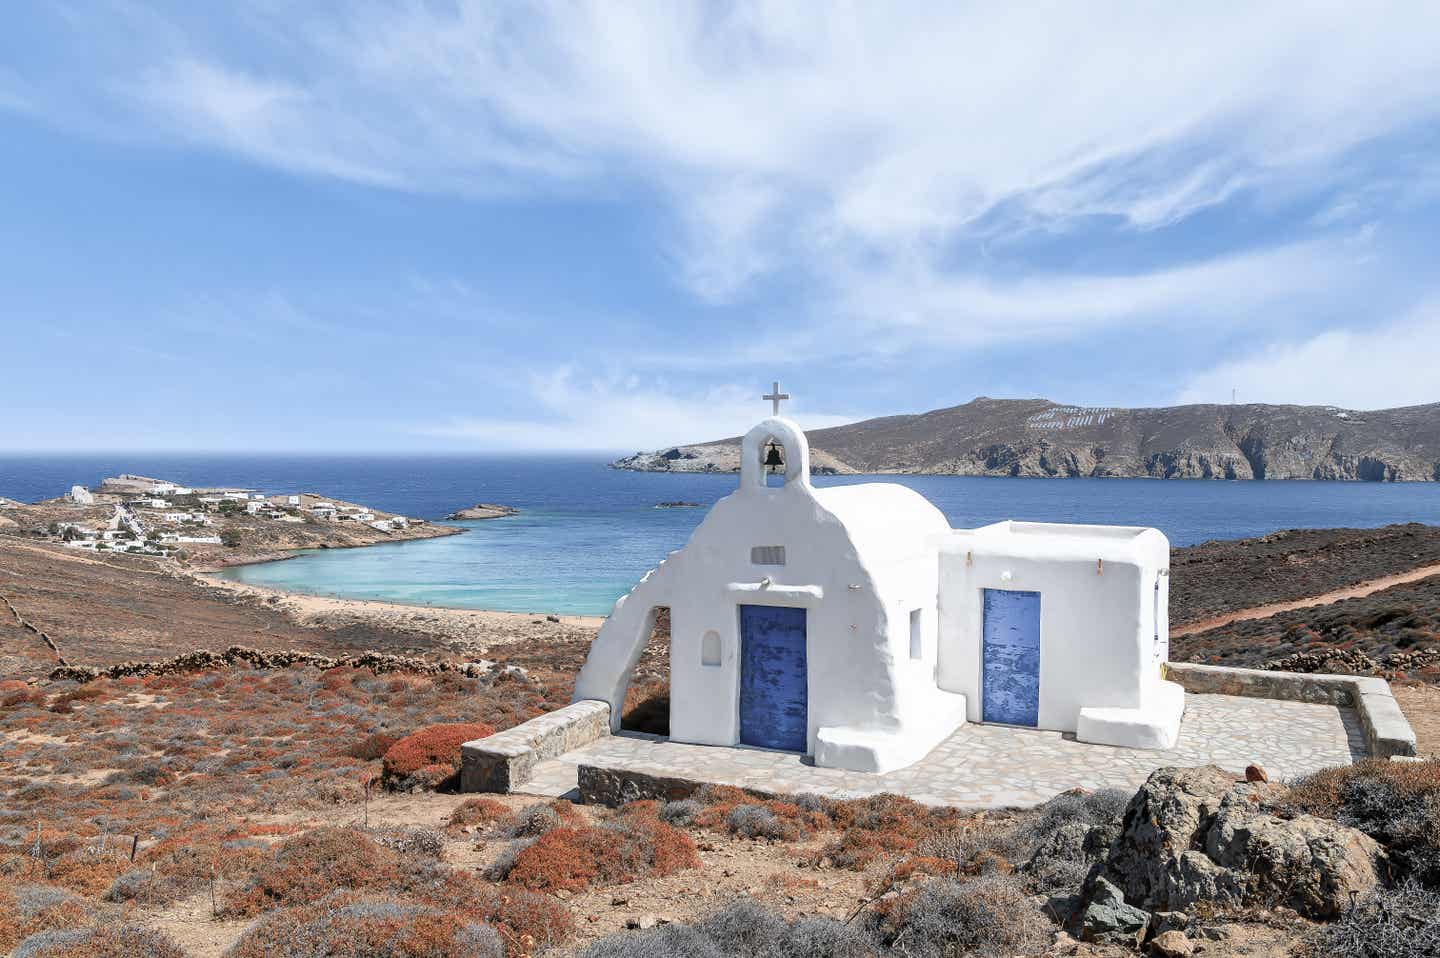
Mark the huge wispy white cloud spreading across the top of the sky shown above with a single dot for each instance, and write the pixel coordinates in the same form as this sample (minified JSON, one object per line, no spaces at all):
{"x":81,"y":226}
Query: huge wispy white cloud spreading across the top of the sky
{"x":780,"y":136}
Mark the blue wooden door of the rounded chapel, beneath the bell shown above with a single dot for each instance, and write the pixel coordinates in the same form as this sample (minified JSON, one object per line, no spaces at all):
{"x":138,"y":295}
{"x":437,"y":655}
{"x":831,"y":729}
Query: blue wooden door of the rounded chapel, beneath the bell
{"x":773,"y":678}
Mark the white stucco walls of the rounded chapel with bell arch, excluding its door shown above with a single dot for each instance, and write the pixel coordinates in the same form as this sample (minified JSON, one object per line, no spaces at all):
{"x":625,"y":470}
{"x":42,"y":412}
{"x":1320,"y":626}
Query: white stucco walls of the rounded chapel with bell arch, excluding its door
{"x":859,"y":560}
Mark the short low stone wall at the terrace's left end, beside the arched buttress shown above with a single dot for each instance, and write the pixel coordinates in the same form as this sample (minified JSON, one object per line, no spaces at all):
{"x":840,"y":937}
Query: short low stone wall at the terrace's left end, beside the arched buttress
{"x":505,"y":761}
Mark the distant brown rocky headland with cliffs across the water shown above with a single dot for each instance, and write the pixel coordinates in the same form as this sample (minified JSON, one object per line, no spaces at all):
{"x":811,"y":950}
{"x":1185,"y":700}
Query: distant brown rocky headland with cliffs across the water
{"x":1042,"y":439}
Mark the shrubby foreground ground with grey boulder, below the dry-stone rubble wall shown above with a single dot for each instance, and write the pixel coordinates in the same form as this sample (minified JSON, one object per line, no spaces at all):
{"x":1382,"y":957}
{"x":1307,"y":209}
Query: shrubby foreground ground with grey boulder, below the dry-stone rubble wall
{"x":305,"y":812}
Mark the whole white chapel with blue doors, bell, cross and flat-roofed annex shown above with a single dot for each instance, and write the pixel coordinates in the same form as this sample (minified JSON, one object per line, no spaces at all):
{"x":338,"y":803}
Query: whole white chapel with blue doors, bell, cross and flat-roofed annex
{"x":855,"y":626}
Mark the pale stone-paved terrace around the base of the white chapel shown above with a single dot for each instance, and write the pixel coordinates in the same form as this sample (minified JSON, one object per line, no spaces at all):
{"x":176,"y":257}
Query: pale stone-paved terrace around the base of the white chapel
{"x":986,"y":766}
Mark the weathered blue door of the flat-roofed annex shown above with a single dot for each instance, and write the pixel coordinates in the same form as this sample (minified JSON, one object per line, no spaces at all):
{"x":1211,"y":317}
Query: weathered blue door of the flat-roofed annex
{"x":1010,"y":658}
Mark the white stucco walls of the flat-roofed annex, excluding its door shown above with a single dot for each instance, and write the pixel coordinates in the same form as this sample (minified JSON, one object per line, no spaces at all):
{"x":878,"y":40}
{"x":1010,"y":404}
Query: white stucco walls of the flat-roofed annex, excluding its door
{"x":1098,"y":622}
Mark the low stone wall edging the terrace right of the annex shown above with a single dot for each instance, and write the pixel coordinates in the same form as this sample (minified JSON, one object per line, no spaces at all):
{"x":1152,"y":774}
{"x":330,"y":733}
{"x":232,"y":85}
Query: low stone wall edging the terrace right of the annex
{"x":1387,"y":733}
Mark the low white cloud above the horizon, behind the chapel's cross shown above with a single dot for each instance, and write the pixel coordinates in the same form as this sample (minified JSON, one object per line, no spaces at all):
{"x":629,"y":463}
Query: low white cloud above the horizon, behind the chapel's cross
{"x":620,"y":414}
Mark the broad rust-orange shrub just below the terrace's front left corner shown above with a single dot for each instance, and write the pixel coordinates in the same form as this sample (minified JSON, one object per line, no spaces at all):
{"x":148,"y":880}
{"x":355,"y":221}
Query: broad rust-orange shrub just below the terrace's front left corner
{"x":631,"y":846}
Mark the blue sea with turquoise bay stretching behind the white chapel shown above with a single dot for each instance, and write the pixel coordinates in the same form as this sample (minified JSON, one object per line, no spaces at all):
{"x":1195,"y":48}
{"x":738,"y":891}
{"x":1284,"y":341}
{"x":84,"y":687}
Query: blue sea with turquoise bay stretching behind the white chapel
{"x":587,"y":532}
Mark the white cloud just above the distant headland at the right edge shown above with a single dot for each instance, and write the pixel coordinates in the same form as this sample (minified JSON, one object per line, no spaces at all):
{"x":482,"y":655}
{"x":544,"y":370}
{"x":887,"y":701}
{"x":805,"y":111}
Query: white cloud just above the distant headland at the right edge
{"x":1359,"y":368}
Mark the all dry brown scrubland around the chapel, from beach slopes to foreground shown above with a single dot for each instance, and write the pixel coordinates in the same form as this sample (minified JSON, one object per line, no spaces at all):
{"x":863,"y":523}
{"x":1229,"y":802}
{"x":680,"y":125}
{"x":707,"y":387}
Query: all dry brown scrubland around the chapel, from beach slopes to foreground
{"x":234,"y":807}
